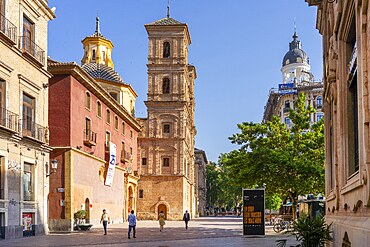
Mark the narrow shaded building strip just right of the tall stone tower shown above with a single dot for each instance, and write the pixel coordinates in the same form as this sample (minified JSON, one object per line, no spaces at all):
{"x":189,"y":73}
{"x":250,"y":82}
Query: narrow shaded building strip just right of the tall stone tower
{"x":200,"y":181}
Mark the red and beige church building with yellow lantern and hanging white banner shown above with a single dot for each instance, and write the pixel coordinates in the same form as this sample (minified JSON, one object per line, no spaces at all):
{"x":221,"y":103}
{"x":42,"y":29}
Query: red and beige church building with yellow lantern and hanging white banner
{"x":94,"y":138}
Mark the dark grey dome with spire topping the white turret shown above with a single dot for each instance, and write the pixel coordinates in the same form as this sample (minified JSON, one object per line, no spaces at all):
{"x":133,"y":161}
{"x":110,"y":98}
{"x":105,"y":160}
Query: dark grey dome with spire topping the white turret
{"x":295,"y":53}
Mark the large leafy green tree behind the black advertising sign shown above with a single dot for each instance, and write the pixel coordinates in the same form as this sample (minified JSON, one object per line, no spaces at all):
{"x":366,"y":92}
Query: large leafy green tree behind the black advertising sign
{"x":289,"y":160}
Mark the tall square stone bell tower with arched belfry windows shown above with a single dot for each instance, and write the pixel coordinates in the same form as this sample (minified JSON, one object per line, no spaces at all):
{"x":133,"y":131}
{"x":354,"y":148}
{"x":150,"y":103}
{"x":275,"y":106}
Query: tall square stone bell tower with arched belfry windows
{"x":166,"y":142}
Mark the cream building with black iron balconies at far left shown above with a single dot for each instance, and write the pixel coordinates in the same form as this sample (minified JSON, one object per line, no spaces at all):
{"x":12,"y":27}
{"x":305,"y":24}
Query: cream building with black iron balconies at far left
{"x":24,"y":140}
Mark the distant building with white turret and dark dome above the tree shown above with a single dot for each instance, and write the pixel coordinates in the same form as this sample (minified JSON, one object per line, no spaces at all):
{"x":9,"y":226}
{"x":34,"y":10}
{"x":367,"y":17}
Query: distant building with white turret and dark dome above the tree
{"x":297,"y":79}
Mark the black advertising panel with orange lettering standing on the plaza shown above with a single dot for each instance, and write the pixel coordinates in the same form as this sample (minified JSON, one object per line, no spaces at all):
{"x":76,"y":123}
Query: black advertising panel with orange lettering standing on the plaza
{"x":253,"y":211}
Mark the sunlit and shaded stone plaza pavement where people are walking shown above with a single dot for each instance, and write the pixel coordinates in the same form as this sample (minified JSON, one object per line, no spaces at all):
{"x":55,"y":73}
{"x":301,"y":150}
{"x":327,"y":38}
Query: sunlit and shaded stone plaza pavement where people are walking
{"x":205,"y":231}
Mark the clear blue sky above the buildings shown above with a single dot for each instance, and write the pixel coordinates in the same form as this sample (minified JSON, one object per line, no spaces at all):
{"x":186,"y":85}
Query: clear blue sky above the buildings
{"x":237,"y":48}
